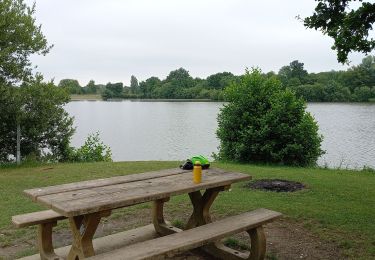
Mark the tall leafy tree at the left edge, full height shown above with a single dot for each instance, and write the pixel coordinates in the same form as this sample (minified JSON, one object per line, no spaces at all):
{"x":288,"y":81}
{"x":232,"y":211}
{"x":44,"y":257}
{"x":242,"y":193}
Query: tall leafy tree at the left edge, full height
{"x":31,"y":111}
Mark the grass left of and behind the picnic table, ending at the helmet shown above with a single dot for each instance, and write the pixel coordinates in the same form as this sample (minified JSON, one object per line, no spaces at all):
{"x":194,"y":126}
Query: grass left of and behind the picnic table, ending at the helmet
{"x":13,"y":180}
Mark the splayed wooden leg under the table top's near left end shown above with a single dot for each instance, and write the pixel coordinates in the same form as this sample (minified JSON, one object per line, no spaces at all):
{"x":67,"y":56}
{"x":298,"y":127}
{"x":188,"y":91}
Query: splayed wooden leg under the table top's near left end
{"x":83,"y":229}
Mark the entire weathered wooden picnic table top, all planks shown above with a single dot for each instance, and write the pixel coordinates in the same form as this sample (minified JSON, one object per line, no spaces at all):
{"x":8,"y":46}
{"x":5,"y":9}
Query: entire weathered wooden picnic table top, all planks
{"x":98,"y":195}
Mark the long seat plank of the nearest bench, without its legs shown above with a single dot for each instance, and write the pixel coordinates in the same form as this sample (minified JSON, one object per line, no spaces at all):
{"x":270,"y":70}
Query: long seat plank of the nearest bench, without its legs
{"x":192,"y":238}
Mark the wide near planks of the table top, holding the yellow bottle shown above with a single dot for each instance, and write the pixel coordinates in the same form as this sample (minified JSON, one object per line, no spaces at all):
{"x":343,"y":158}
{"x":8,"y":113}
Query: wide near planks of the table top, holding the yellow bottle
{"x":87,"y":201}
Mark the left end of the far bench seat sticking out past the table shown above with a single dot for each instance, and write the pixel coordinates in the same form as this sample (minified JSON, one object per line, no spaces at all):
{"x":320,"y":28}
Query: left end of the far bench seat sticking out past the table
{"x":36,"y":218}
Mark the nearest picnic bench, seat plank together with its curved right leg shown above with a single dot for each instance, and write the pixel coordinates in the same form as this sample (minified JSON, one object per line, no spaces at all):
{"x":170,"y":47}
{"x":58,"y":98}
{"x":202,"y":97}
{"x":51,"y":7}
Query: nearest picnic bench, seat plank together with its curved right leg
{"x":203,"y":235}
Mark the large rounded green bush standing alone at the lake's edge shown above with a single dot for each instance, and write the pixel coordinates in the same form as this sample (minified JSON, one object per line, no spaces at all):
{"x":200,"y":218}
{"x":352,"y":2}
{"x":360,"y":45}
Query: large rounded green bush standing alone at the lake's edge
{"x":264,"y":122}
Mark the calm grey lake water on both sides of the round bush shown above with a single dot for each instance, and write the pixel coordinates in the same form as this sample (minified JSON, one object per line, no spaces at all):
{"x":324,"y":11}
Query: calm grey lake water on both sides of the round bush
{"x":138,"y":131}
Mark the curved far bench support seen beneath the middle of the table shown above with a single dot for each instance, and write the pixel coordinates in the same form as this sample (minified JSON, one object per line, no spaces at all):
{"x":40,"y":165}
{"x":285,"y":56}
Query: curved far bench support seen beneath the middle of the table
{"x":162,"y":227}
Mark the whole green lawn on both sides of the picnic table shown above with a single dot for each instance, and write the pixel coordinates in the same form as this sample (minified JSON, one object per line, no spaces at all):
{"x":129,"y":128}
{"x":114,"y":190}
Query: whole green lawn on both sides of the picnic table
{"x":338,"y":205}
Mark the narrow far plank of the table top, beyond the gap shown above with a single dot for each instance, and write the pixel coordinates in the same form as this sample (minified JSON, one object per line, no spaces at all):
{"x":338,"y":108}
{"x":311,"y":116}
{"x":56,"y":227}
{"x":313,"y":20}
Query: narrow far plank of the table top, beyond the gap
{"x":35,"y":193}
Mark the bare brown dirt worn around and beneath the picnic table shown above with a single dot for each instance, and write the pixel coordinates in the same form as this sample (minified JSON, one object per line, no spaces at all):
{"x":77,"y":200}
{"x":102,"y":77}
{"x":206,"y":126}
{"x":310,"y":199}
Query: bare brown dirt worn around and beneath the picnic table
{"x":285,"y":239}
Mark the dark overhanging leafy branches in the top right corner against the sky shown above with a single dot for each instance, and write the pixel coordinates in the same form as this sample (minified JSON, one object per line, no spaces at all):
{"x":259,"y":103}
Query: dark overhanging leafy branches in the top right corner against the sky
{"x":347,"y":26}
